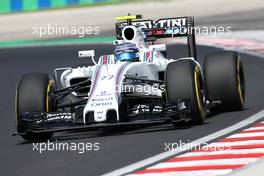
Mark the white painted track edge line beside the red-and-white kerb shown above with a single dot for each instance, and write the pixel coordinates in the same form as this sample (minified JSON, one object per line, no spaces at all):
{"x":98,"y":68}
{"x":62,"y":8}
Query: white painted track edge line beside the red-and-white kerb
{"x":146,"y":162}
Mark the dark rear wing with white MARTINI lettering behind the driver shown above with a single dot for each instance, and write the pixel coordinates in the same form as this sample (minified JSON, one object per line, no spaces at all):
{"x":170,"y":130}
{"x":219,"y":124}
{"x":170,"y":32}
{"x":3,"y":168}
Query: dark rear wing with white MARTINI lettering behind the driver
{"x":161,"y":28}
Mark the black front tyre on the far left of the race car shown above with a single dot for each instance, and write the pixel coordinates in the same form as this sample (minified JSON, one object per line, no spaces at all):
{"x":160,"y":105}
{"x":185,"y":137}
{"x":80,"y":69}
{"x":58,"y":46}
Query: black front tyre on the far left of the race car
{"x":33,"y":96}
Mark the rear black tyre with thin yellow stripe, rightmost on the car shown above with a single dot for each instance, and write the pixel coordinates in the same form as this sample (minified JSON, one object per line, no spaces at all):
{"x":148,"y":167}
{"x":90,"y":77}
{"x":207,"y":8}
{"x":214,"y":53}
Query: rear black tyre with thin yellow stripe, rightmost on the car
{"x":224,"y":80}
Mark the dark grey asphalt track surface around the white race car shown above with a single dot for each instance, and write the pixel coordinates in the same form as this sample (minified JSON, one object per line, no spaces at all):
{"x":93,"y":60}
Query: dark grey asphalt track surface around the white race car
{"x":117,"y":149}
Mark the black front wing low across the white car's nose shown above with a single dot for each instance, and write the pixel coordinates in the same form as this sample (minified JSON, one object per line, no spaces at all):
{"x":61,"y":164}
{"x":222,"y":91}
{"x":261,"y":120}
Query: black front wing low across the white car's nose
{"x":38,"y":122}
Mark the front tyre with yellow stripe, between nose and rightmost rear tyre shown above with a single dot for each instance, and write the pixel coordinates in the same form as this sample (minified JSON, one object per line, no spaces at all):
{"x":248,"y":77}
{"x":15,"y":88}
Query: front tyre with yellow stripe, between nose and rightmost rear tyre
{"x":183,"y":81}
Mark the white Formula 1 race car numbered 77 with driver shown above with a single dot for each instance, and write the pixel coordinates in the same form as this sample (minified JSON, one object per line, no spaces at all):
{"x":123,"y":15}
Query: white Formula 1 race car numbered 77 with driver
{"x":136,"y":85}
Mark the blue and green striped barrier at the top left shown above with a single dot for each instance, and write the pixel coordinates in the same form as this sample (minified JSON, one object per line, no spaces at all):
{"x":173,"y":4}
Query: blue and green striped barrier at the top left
{"x":10,"y":6}
